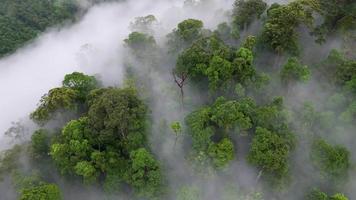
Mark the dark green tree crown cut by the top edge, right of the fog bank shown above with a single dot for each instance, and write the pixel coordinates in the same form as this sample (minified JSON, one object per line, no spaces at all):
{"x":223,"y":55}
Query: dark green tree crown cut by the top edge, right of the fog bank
{"x":245,"y":11}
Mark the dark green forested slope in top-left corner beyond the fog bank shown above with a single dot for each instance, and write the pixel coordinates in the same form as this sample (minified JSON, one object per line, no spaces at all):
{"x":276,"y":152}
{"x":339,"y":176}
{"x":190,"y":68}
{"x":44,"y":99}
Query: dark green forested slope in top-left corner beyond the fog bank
{"x":22,"y":20}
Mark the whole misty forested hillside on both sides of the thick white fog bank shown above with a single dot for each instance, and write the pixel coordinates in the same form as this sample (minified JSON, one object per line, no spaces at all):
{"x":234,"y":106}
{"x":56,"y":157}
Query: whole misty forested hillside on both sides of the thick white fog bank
{"x":260,"y":107}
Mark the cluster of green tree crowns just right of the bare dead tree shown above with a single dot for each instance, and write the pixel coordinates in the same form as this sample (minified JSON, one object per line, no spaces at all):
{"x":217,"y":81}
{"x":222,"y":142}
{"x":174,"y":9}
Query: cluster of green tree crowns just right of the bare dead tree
{"x":210,"y":59}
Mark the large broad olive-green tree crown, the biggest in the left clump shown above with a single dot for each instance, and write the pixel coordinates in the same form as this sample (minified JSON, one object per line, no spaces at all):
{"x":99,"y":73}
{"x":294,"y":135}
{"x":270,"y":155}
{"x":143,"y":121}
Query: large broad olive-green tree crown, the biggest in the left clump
{"x":118,"y":117}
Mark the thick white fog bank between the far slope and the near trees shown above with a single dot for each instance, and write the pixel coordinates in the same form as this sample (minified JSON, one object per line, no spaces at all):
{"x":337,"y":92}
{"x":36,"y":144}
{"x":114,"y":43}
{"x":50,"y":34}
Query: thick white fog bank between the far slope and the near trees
{"x":93,"y":46}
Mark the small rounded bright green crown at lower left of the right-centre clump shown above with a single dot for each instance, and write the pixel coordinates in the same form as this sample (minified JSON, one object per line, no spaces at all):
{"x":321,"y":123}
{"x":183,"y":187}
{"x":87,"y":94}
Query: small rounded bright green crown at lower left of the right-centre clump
{"x":221,"y":153}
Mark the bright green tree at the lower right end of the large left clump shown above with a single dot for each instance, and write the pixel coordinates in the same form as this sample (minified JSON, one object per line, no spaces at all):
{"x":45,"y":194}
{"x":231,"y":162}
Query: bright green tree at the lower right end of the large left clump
{"x":145,"y":174}
